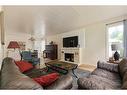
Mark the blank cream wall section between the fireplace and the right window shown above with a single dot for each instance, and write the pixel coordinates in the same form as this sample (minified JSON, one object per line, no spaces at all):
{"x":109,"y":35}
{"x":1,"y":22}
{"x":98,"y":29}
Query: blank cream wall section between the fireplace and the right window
{"x":95,"y":46}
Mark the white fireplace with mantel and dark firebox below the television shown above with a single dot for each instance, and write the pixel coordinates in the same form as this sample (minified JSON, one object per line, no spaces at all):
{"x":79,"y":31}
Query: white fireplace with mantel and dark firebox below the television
{"x":71,"y":55}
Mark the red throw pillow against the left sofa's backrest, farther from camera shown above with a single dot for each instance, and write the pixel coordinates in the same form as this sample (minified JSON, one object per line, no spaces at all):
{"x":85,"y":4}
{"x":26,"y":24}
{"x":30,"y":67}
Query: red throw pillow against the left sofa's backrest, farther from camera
{"x":24,"y":65}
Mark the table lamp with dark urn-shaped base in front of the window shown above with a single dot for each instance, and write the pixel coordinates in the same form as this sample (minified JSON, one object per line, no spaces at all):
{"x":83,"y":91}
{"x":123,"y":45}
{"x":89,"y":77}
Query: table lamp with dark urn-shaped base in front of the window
{"x":115,"y":47}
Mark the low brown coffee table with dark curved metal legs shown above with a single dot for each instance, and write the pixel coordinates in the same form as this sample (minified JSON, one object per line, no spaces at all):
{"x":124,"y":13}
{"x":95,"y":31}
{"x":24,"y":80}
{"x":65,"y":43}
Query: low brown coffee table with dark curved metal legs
{"x":62,"y":67}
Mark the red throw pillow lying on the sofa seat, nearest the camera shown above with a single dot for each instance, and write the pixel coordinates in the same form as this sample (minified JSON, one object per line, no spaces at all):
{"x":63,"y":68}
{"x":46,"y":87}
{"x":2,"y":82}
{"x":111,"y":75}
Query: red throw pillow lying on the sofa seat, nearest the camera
{"x":47,"y":79}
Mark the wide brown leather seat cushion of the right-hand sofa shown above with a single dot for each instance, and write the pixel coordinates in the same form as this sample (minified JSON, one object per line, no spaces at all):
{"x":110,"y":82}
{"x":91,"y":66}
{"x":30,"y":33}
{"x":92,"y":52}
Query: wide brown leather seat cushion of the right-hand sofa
{"x":97,"y":82}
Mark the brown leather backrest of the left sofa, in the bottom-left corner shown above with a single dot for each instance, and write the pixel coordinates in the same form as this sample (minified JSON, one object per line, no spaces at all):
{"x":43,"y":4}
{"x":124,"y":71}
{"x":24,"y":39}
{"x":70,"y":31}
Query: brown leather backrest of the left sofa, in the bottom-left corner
{"x":12,"y":78}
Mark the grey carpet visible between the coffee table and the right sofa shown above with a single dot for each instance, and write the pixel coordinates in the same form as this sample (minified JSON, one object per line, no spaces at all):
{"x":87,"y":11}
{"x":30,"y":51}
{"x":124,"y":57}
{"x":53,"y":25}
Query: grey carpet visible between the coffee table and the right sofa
{"x":79,"y":73}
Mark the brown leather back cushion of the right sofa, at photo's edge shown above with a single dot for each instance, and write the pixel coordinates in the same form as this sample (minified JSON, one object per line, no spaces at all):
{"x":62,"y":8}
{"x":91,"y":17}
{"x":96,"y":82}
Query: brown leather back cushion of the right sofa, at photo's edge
{"x":122,"y":67}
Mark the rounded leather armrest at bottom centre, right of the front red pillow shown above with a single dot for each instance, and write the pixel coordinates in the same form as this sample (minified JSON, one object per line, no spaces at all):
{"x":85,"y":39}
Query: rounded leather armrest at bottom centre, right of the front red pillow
{"x":64,"y":82}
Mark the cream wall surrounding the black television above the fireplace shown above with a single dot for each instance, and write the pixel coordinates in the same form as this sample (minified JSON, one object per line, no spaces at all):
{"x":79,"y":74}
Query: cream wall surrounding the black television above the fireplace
{"x":58,"y":39}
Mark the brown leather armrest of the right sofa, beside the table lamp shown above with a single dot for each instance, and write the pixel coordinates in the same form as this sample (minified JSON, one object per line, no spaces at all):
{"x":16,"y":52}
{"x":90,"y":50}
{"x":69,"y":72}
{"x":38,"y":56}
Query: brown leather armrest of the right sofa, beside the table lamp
{"x":107,"y":66}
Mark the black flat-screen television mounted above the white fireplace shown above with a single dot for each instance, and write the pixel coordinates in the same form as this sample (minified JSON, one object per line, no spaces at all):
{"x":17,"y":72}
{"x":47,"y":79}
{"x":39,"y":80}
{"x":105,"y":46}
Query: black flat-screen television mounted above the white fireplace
{"x":70,"y":41}
